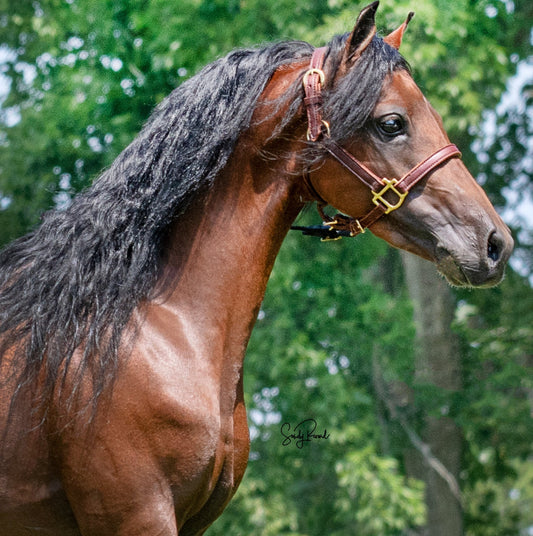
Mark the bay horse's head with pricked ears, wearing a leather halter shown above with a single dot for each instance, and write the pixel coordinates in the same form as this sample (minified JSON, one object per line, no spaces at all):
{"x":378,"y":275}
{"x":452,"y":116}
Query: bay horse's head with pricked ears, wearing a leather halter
{"x":443,"y":215}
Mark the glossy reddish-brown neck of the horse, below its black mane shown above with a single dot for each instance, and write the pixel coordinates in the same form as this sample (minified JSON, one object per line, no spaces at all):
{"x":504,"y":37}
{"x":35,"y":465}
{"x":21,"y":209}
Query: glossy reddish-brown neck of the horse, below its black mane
{"x":223,"y":250}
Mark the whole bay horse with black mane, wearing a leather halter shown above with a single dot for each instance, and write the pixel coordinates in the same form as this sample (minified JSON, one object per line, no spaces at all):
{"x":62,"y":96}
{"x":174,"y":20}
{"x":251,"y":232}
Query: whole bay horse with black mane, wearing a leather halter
{"x":125,"y":317}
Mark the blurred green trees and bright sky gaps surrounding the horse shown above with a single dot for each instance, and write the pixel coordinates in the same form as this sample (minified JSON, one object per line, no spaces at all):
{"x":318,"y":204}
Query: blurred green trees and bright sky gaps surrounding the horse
{"x":426,"y":391}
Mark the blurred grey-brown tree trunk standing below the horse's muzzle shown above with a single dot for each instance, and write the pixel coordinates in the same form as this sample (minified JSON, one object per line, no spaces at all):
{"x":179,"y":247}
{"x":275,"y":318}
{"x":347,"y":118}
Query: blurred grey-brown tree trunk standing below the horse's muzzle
{"x":437,"y":362}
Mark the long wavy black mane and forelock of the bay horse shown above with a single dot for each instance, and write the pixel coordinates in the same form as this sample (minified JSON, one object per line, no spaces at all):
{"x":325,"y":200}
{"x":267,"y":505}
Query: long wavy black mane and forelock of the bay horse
{"x":73,"y":283}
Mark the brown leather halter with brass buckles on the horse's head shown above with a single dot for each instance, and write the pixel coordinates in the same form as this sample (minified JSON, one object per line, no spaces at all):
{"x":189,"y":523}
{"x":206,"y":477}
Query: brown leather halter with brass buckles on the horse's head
{"x":318,"y":131}
